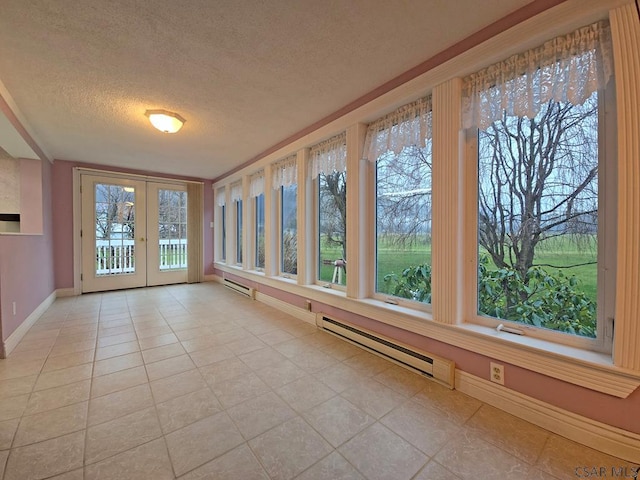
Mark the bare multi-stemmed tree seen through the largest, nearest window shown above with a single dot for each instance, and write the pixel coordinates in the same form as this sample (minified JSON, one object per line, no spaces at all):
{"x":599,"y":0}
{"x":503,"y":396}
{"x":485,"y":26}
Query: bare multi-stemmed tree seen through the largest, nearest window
{"x":537,"y":181}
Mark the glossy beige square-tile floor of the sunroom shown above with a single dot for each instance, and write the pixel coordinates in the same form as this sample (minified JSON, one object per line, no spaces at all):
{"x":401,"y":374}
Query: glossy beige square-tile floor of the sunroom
{"x":196,"y":382}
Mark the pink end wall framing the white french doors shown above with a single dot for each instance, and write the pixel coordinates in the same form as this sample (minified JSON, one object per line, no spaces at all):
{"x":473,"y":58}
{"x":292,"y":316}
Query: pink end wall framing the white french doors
{"x":63,"y":218}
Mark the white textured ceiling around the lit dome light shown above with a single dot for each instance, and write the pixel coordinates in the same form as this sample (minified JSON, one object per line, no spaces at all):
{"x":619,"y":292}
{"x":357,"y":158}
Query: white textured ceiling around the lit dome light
{"x":245,"y":74}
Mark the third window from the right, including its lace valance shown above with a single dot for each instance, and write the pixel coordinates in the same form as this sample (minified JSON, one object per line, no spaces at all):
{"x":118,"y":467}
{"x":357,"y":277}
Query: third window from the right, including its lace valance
{"x":328,"y":165}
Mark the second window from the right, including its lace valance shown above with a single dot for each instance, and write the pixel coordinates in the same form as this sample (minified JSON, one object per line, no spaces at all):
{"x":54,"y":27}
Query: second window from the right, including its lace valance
{"x":400,"y":144}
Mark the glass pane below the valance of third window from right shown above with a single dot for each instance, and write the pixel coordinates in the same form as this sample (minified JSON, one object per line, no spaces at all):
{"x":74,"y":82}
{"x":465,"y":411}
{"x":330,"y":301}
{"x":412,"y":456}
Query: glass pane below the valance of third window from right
{"x":332,"y":225}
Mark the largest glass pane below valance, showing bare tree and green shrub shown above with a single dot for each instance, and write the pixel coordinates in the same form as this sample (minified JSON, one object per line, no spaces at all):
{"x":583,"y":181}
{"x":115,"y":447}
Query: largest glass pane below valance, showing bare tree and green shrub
{"x":538,"y":218}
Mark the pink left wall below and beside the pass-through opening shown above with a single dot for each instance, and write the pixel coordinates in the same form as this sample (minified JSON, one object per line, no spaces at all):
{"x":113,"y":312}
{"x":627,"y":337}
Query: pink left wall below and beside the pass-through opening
{"x":26,"y":267}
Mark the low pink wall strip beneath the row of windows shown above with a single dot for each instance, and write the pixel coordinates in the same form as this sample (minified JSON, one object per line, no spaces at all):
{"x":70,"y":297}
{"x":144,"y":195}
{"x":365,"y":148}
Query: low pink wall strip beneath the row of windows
{"x":619,"y":412}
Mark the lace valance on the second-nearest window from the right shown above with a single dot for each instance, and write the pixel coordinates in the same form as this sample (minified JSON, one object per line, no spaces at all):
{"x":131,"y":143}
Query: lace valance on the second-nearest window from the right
{"x":406,"y":126}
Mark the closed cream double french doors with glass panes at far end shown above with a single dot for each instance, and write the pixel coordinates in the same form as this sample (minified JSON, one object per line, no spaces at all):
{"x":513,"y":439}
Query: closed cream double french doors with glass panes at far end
{"x":134,"y":233}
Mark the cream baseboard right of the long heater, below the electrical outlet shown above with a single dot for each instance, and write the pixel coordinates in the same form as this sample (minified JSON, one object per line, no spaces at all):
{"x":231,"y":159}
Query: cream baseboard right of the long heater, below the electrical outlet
{"x":605,"y":438}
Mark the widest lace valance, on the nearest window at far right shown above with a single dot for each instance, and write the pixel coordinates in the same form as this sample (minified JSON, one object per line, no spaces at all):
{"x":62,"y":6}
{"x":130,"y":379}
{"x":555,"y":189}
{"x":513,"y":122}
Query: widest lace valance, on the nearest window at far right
{"x":568,"y":68}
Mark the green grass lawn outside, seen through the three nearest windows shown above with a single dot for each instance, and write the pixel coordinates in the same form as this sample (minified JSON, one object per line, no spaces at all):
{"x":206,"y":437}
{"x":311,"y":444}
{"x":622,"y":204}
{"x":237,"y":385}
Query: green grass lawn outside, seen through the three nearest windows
{"x":561,"y":253}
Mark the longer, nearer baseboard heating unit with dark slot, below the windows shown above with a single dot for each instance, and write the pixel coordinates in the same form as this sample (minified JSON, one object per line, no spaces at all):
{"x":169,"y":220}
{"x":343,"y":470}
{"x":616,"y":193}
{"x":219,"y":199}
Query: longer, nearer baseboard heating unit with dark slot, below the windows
{"x":432,"y":366}
